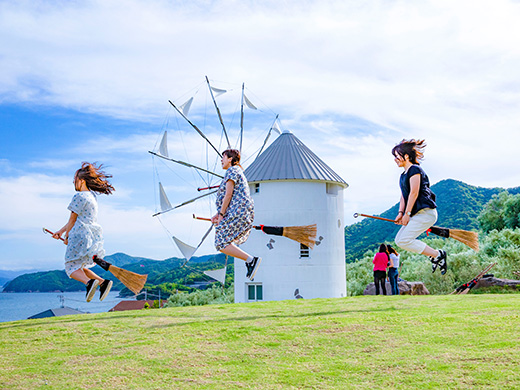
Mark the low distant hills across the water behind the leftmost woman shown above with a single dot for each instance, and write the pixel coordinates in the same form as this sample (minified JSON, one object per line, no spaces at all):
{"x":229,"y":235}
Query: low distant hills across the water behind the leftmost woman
{"x":164,"y":271}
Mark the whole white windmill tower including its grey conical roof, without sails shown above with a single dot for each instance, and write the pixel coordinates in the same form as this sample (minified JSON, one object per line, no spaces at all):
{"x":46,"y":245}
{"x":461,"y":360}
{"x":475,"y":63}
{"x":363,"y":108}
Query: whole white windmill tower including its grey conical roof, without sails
{"x":291,"y":186}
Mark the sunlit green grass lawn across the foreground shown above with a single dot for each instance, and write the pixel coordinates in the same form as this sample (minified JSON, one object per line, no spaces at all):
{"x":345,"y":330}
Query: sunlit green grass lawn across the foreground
{"x":404,"y":342}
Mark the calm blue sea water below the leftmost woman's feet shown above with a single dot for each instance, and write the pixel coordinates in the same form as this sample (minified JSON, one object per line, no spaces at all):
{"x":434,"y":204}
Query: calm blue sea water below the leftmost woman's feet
{"x":20,"y":306}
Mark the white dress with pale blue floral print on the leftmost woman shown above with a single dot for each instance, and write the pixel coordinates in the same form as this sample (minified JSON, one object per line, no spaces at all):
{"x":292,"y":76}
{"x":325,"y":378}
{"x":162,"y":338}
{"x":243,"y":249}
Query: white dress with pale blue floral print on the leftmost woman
{"x":86,"y":236}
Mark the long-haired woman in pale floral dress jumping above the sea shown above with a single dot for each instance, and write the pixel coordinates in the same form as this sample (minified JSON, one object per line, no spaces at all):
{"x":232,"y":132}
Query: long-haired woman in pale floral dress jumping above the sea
{"x":83,"y":235}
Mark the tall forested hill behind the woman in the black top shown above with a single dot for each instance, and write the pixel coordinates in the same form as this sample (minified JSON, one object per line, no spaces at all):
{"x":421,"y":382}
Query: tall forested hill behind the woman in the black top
{"x":459,"y":205}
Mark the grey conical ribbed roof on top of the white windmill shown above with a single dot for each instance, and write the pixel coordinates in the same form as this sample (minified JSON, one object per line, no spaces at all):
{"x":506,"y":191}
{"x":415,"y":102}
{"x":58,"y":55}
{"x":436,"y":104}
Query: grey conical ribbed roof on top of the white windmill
{"x":287,"y":158}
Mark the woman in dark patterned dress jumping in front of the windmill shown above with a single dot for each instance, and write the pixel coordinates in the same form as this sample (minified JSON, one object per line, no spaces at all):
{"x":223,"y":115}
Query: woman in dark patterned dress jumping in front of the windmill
{"x":235,"y":212}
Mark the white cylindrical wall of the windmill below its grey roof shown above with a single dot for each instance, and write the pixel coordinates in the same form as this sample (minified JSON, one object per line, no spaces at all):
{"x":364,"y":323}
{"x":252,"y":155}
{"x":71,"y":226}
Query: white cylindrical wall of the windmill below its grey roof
{"x":282,"y":271}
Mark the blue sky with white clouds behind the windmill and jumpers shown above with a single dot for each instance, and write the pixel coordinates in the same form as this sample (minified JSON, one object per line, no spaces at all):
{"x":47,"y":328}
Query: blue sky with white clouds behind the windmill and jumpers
{"x":91,"y":80}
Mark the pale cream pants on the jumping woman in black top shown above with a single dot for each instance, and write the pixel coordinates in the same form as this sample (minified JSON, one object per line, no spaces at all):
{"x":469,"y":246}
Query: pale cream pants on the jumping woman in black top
{"x":406,"y":237}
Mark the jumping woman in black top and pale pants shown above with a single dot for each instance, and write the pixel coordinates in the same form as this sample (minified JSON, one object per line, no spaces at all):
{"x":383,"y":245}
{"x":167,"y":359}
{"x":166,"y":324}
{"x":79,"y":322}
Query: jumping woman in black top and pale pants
{"x":417,"y":208}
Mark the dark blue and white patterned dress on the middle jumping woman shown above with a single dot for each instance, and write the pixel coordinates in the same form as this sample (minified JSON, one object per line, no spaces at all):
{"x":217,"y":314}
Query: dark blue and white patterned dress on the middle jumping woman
{"x":238,"y":219}
